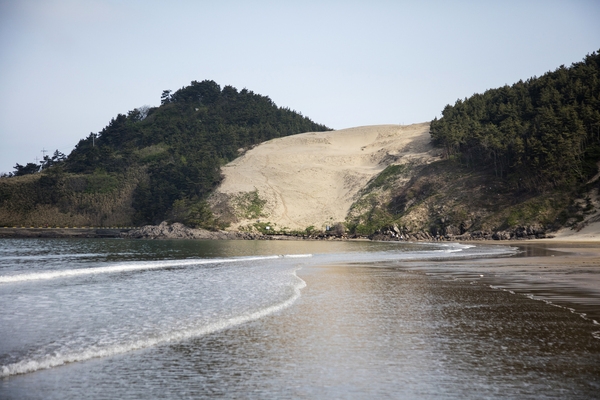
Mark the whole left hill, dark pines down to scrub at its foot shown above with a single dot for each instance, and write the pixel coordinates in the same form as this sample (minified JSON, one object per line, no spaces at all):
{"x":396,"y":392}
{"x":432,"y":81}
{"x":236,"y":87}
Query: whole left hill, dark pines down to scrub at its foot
{"x":175,"y":151}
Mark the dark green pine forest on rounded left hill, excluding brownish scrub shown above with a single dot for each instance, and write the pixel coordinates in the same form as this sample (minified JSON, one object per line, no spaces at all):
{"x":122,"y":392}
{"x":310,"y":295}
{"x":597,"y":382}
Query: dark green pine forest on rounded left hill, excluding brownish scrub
{"x":185,"y":141}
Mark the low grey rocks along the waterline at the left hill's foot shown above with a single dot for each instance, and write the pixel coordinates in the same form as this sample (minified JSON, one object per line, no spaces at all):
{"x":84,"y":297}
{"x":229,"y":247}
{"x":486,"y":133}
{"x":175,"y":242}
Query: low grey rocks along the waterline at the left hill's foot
{"x":180,"y":231}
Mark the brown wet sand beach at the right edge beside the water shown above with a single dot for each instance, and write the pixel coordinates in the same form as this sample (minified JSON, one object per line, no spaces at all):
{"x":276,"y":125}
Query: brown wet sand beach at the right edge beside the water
{"x":565,"y":274}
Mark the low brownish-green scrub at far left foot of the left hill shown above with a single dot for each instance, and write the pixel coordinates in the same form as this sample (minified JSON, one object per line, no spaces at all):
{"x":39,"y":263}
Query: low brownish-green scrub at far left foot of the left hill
{"x":56,"y":198}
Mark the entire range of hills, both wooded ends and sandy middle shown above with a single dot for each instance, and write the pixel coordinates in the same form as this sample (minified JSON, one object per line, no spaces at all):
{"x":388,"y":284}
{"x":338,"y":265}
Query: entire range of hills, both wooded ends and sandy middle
{"x":520,"y":161}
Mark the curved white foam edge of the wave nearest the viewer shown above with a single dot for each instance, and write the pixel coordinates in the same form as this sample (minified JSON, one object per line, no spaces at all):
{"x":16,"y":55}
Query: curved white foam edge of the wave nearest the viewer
{"x":58,"y":359}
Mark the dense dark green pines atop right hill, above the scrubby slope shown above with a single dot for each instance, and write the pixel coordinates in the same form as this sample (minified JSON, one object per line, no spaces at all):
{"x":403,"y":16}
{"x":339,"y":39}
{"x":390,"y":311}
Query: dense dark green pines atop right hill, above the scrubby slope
{"x":542,"y":133}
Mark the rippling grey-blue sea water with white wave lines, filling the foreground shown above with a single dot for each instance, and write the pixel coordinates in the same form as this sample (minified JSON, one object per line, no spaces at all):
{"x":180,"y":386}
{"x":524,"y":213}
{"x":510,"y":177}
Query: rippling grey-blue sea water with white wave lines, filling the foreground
{"x":273,"y":319}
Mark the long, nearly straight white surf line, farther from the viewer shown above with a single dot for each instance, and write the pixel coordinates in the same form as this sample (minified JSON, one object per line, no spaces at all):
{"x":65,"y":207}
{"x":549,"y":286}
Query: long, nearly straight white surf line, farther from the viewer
{"x":135,"y":267}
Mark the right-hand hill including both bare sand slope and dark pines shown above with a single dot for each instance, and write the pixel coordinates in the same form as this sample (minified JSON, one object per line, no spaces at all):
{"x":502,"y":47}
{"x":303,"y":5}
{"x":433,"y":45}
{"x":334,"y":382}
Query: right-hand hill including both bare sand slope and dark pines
{"x":520,"y":161}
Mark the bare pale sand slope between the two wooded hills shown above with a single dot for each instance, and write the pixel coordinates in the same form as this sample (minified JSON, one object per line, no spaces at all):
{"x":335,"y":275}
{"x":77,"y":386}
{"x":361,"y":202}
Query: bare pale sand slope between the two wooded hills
{"x":313,"y":178}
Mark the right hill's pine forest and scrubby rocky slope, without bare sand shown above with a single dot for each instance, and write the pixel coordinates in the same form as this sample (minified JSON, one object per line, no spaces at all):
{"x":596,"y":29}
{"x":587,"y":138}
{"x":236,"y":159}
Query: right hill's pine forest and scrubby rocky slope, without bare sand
{"x":518,"y":161}
